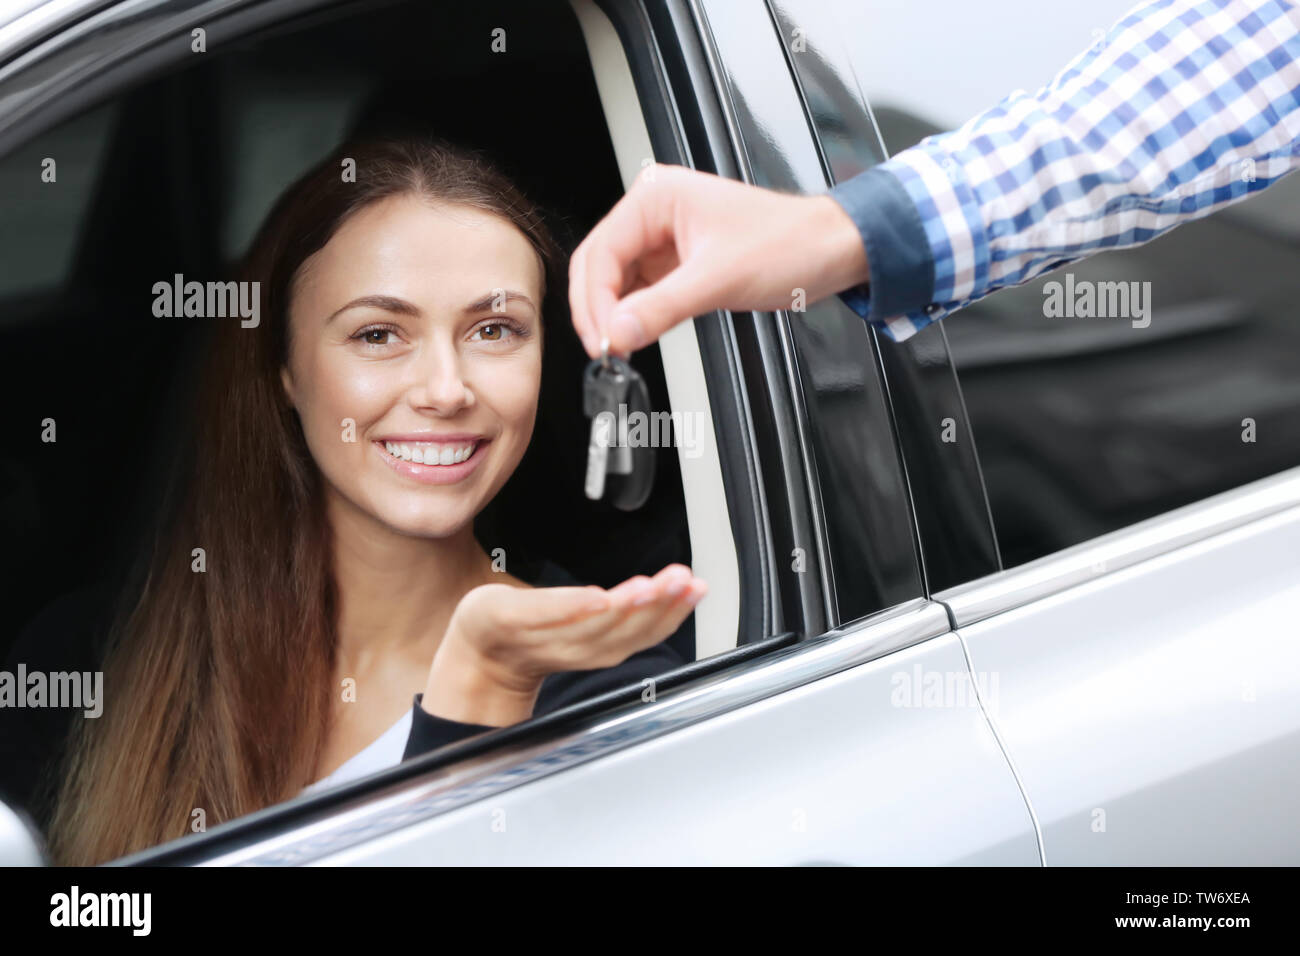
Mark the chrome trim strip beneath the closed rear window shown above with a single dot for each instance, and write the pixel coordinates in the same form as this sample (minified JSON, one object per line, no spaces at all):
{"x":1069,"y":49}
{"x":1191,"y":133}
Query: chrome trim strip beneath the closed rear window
{"x":1052,"y":574}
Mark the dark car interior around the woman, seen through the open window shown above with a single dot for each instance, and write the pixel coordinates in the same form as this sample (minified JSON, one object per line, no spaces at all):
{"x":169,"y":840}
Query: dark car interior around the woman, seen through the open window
{"x":175,"y":176}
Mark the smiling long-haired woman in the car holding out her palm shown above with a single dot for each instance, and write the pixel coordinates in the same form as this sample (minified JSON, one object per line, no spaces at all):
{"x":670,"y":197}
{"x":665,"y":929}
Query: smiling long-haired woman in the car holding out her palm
{"x":341,"y":453}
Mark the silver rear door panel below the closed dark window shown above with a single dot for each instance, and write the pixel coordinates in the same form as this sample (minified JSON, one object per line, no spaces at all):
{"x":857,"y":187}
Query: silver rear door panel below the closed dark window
{"x":1152,"y":712}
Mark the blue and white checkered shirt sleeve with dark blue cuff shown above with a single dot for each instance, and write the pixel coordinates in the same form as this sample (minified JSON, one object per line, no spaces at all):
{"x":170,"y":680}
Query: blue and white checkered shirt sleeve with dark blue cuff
{"x":1182,"y":109}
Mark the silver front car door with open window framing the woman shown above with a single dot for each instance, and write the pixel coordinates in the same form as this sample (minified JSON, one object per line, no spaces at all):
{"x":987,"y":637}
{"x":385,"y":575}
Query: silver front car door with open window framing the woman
{"x":842,"y":725}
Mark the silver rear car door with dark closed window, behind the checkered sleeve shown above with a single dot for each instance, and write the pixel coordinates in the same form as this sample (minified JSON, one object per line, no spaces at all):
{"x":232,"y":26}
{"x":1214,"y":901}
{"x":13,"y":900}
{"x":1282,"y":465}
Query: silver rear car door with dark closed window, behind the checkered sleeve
{"x":1145,"y":494}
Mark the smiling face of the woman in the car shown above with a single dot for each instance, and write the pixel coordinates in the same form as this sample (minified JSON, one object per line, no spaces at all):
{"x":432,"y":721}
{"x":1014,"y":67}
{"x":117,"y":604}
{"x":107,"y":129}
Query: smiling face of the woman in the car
{"x":421,"y":323}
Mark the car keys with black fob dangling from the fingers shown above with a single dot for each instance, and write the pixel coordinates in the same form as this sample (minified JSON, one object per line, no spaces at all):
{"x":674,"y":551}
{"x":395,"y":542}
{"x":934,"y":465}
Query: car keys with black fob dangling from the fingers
{"x":621,"y":458}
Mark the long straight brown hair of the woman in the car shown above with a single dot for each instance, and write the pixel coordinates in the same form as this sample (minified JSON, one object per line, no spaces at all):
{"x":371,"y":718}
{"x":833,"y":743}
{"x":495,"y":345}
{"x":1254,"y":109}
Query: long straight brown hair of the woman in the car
{"x":219,"y":684}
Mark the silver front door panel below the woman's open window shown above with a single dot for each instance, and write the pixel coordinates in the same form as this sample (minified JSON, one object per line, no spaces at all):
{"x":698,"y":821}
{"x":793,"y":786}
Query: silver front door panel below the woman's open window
{"x":840,"y":771}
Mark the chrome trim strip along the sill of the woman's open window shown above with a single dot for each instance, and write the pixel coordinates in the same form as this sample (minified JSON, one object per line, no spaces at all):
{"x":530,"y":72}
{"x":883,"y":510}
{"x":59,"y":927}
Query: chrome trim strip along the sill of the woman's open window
{"x":401,"y":804}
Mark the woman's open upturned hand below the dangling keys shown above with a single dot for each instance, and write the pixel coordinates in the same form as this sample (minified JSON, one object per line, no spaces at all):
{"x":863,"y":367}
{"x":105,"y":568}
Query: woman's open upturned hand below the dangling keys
{"x":504,"y":642}
